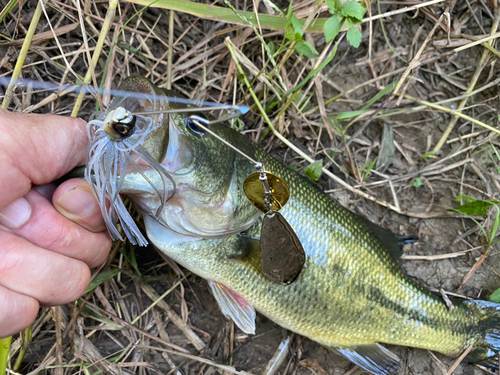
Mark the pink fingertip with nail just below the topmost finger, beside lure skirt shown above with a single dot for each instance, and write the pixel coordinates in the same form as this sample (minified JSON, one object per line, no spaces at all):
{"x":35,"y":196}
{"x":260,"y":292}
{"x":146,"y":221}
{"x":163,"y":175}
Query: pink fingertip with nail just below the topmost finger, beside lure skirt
{"x":75,"y":200}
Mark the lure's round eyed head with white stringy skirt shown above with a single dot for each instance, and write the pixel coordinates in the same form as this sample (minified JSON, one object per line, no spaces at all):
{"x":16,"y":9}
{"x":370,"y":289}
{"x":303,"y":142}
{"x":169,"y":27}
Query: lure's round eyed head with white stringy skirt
{"x":114,"y":139}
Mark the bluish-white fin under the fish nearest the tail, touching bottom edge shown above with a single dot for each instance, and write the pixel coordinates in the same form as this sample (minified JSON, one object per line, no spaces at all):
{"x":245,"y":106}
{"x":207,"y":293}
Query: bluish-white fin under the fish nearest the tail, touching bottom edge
{"x":372,"y":358}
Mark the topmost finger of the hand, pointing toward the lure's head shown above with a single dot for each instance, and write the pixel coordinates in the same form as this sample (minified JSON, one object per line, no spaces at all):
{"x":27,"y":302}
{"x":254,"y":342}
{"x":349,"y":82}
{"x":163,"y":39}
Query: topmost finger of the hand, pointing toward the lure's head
{"x":37,"y":149}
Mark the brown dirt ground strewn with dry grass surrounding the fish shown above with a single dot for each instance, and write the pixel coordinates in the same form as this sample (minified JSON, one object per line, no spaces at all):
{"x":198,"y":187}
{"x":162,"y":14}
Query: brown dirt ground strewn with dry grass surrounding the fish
{"x":423,"y":188}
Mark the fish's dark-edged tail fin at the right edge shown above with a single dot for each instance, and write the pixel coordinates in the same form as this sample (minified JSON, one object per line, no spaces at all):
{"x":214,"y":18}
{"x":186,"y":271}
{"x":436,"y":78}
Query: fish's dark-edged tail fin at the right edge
{"x":485,"y":336}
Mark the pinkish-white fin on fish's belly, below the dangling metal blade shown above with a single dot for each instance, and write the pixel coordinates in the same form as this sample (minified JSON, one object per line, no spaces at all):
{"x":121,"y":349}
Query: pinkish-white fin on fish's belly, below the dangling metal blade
{"x":234,"y":306}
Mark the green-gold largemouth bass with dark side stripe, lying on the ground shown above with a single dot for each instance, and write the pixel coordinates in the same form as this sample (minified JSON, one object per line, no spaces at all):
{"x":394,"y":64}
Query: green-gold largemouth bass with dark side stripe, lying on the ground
{"x":350,"y":296}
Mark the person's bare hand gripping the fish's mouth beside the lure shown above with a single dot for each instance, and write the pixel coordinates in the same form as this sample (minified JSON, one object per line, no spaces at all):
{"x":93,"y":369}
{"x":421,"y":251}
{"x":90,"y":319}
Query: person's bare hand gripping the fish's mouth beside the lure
{"x":46,"y":249}
